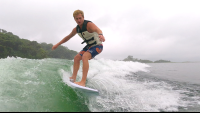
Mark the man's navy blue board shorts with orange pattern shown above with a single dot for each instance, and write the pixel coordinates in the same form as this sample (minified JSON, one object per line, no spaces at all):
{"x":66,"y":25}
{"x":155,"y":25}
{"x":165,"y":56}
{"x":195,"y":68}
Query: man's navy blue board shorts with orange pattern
{"x":95,"y":50}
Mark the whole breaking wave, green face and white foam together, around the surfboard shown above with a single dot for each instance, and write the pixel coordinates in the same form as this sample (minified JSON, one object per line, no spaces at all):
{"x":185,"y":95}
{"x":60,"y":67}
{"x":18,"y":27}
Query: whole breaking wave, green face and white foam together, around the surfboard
{"x":41,"y":85}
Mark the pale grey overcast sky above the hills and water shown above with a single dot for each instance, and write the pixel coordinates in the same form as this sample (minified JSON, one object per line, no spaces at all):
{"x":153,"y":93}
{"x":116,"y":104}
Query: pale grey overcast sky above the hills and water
{"x":144,"y":29}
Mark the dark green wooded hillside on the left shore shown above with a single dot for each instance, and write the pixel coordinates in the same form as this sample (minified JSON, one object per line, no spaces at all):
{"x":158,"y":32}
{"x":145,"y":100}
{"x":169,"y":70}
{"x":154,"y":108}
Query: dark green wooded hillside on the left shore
{"x":12,"y":45}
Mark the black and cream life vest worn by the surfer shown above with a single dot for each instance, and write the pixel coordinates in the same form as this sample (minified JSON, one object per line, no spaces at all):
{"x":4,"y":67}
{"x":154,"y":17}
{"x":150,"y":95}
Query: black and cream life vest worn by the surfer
{"x":92,"y":39}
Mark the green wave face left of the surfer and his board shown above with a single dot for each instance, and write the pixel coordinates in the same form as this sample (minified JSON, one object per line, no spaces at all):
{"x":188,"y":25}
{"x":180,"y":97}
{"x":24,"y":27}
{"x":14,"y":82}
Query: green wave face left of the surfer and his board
{"x":36,"y":86}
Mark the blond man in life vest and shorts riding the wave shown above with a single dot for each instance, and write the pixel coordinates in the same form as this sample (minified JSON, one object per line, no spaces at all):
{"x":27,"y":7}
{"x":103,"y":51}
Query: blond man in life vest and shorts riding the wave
{"x":91,"y":35}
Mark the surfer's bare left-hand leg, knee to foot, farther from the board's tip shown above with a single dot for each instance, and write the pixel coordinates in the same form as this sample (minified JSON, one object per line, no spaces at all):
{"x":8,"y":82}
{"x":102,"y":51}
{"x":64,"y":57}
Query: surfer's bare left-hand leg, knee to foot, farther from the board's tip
{"x":76,"y":66}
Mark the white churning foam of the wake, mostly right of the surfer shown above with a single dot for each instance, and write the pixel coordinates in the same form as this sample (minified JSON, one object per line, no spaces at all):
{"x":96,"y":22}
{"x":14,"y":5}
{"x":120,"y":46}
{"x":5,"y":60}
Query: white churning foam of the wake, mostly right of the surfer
{"x":121,"y":91}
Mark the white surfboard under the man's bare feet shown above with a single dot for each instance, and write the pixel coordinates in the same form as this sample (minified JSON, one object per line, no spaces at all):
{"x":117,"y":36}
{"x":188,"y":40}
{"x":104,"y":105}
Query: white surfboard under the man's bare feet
{"x":82,"y":88}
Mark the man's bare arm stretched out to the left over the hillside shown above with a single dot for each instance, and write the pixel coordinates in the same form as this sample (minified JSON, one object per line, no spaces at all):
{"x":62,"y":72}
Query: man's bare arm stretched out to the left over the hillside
{"x":65,"y":39}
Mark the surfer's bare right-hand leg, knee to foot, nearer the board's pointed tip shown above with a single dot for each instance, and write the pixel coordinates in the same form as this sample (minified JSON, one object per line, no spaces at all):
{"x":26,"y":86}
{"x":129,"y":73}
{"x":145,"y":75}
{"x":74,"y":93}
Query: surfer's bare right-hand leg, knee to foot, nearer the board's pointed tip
{"x":85,"y":58}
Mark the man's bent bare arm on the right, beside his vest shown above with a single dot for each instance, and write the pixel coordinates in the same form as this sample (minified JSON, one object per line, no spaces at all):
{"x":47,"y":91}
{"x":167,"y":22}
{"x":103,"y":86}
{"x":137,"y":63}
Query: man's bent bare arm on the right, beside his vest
{"x":93,"y":28}
